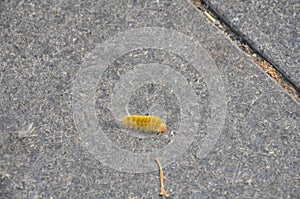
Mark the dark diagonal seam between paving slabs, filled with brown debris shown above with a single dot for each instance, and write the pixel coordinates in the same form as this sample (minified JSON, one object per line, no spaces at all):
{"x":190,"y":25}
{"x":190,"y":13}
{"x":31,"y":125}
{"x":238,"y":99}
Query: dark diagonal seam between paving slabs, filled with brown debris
{"x":247,"y":47}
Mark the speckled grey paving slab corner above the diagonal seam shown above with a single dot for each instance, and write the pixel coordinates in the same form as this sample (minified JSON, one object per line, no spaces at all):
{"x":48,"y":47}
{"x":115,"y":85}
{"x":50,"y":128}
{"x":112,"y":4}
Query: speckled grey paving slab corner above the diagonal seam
{"x":272,"y":27}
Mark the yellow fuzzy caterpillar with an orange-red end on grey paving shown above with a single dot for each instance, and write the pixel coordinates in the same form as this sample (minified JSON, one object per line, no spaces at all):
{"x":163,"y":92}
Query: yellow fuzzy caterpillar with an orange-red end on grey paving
{"x":149,"y":123}
